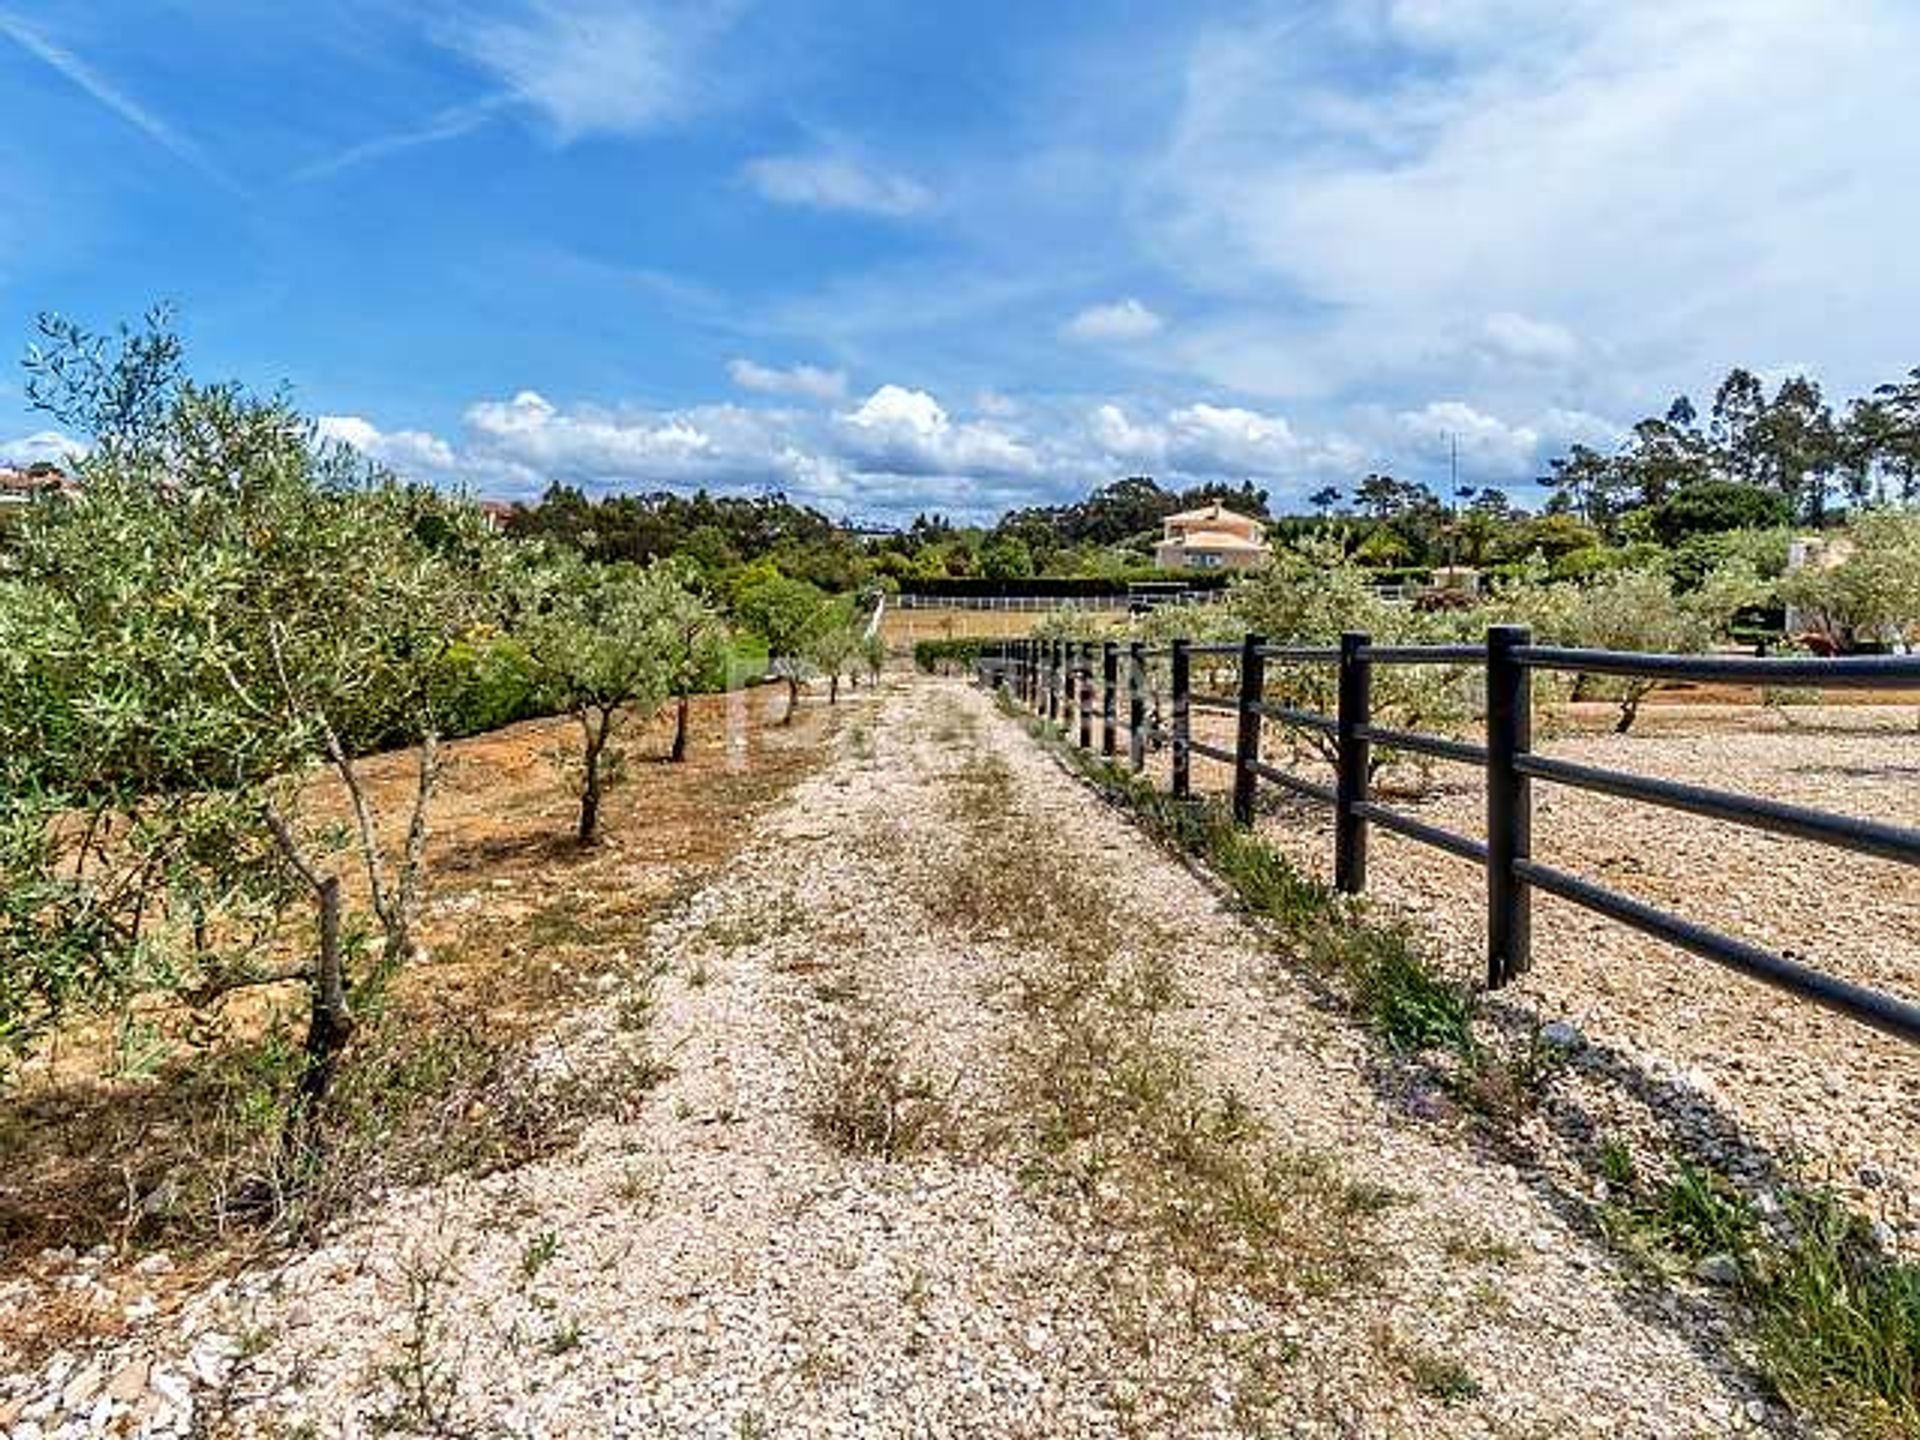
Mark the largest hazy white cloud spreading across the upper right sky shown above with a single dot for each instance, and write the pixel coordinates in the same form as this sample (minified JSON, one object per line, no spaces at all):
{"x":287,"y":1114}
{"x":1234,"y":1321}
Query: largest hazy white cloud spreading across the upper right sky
{"x":1591,"y":204}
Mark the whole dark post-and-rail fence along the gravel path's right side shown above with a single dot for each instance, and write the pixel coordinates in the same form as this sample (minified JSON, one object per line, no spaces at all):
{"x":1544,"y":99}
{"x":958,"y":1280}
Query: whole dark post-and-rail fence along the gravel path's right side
{"x":1067,"y":681}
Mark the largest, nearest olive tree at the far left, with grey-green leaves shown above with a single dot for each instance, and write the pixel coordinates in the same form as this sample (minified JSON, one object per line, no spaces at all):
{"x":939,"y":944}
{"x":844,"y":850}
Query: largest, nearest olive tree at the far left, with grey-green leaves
{"x":228,"y":610}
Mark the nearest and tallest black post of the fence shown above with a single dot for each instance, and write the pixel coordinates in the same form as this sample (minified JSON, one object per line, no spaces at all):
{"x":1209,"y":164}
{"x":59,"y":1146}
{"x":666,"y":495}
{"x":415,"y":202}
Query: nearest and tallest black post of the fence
{"x":1510,"y":811}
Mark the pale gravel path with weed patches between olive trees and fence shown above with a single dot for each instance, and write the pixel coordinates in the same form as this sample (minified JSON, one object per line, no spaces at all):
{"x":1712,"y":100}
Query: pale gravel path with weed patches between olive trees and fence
{"x":978,"y":1118}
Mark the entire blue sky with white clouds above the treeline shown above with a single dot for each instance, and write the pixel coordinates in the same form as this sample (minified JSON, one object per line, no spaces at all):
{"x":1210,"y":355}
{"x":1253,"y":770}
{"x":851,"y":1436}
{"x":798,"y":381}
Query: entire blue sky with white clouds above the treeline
{"x":936,"y":256}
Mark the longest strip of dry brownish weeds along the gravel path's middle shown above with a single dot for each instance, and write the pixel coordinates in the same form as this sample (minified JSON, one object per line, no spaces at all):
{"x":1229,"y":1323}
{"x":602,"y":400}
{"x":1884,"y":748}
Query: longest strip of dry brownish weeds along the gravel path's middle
{"x":1120,"y":1116}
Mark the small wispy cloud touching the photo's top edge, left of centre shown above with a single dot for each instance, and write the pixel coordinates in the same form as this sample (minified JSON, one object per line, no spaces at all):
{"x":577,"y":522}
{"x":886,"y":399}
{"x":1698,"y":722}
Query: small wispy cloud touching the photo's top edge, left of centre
{"x":598,"y":66}
